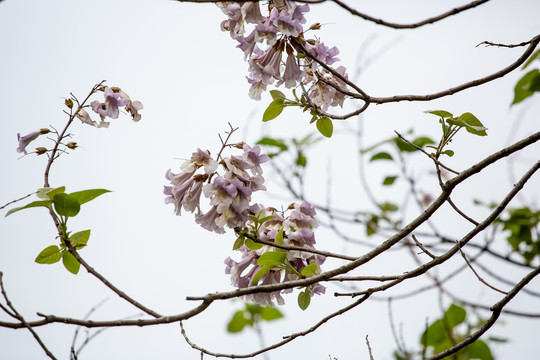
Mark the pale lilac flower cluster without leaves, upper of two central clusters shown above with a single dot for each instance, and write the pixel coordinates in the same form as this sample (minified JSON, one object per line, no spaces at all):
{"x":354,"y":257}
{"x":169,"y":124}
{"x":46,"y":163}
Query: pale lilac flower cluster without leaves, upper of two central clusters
{"x":229,"y":192}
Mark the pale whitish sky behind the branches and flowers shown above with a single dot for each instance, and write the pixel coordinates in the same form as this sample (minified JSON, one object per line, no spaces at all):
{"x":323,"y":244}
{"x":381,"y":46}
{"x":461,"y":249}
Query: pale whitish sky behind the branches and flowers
{"x":191,"y":78}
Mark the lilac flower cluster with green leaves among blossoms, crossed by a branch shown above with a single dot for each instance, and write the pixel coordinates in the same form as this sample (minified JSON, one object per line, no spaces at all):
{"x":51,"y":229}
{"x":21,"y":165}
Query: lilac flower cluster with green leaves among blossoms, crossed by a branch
{"x":297,"y":230}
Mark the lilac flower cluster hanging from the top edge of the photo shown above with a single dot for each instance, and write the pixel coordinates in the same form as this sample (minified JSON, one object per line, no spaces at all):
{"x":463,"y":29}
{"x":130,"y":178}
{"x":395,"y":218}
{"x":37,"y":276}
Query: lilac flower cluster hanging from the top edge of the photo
{"x":282,"y":29}
